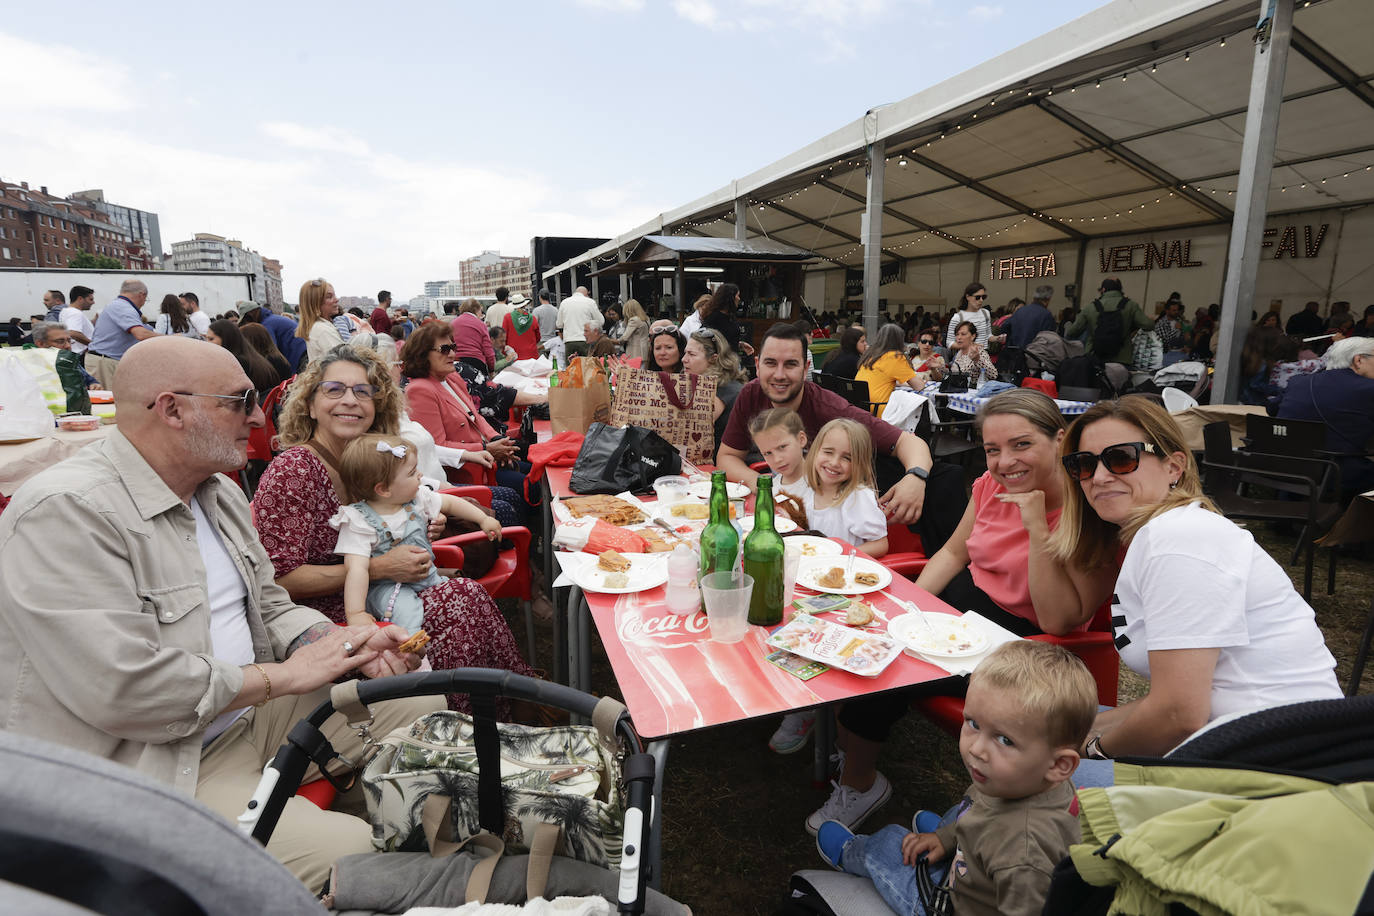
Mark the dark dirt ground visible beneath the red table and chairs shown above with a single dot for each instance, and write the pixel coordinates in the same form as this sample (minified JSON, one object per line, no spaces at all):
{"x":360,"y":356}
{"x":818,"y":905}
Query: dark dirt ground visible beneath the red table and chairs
{"x":734,"y":812}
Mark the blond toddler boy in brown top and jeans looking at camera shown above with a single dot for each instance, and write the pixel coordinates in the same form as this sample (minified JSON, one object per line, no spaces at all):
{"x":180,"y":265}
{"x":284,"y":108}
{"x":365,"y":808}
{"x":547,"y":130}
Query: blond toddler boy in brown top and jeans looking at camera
{"x":1028,"y":711}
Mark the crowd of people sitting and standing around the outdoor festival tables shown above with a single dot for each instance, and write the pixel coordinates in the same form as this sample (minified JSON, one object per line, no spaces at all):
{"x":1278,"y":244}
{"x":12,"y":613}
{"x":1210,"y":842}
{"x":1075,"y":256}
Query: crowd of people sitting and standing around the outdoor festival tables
{"x":211,"y":627}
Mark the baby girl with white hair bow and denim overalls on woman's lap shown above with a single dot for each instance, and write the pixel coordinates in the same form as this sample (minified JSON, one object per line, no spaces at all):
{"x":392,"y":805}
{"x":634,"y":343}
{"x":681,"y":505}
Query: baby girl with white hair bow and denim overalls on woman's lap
{"x":383,"y":474}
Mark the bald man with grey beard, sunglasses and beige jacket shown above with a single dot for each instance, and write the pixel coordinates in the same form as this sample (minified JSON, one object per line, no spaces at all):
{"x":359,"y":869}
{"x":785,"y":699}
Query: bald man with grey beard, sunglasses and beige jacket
{"x":171,"y":649}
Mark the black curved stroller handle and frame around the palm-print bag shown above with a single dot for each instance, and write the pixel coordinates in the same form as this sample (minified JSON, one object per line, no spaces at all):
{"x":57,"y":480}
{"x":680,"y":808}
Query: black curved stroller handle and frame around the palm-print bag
{"x":306,"y":744}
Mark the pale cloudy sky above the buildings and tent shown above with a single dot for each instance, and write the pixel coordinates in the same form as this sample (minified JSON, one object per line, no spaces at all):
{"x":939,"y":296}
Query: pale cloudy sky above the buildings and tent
{"x":379,"y":145}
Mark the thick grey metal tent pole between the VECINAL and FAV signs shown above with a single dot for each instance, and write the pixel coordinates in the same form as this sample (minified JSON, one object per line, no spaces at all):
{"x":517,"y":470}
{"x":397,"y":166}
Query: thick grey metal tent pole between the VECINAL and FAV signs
{"x":1252,"y":194}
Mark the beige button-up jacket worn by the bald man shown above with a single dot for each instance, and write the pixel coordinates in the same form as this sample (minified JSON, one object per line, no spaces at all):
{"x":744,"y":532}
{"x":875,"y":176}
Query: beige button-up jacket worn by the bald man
{"x":109,"y":650}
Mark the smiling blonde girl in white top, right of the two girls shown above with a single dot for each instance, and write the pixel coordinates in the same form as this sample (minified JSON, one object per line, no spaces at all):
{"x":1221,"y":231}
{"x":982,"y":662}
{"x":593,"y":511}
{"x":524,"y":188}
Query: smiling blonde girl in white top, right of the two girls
{"x":844,"y":501}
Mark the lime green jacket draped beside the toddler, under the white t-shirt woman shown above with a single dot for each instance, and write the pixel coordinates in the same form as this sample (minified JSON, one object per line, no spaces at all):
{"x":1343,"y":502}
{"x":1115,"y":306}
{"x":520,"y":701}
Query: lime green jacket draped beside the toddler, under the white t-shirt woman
{"x":1226,"y":841}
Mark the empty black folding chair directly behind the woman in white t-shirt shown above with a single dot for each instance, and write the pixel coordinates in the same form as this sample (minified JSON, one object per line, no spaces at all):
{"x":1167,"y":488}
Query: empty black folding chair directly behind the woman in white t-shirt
{"x":1313,"y":487}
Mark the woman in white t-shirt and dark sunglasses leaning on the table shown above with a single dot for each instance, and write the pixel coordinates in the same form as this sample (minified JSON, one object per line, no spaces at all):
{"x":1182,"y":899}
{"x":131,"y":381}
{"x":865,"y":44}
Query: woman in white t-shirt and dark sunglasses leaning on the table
{"x":1200,"y":609}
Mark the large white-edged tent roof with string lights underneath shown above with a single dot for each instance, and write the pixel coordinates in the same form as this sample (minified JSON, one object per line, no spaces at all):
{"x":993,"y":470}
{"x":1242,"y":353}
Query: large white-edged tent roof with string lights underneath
{"x":1127,"y":120}
